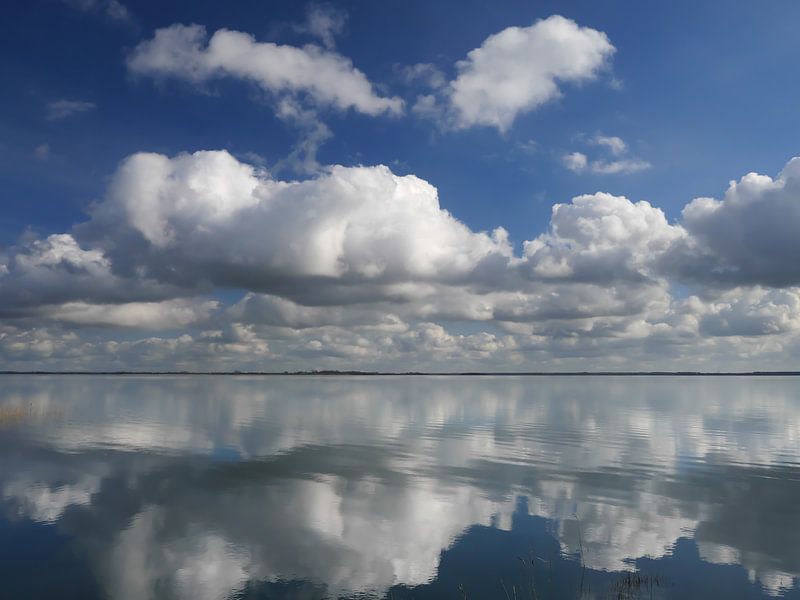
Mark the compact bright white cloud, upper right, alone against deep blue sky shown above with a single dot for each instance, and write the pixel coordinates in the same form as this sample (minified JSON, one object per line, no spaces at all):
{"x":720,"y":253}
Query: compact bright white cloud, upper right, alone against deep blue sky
{"x":520,"y":68}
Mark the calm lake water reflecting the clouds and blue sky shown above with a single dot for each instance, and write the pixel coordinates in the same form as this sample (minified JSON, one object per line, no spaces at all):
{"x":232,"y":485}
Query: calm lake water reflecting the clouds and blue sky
{"x":205,"y":487}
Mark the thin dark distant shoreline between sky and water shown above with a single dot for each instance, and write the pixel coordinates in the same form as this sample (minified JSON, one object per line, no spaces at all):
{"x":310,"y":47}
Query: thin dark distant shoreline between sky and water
{"x":325,"y":373}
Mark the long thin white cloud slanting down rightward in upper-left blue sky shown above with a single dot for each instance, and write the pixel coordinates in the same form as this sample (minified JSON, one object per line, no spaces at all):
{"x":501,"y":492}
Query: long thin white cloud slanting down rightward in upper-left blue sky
{"x":182,"y":52}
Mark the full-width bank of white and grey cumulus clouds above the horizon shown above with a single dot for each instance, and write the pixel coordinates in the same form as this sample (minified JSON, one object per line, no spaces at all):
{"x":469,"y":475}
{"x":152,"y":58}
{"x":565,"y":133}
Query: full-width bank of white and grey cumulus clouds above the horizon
{"x":359,"y":266}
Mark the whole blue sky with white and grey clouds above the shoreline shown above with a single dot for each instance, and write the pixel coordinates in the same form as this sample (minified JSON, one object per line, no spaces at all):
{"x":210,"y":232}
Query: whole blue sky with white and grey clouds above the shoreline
{"x":537,"y":186}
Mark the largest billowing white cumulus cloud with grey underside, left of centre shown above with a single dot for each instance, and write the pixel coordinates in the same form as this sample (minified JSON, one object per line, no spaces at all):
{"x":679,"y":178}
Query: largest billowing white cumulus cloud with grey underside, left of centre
{"x":206,"y":216}
